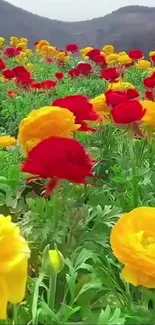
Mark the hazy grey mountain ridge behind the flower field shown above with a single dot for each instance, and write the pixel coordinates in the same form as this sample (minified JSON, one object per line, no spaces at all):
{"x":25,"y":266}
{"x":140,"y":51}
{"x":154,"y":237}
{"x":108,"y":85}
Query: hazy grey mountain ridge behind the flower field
{"x":127,"y":28}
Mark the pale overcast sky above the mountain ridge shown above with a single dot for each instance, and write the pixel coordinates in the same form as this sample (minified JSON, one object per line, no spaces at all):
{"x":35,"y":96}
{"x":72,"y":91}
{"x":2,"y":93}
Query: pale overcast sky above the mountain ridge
{"x":73,"y":10}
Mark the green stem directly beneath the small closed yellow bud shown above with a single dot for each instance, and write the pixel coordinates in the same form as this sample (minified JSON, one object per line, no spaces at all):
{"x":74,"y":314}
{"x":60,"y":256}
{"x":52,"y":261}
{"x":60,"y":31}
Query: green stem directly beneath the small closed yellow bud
{"x":52,"y":290}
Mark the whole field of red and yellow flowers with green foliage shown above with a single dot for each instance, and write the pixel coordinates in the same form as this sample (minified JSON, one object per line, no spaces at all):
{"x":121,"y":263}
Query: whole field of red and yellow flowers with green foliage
{"x":77,"y":185}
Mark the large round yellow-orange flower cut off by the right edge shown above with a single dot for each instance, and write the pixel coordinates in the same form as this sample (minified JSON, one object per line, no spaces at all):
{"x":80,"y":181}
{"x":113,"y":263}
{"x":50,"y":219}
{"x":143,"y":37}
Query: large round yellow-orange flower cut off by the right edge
{"x":133,"y":243}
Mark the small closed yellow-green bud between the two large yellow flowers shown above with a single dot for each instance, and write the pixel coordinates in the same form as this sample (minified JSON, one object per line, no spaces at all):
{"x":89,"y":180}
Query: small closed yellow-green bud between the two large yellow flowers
{"x":57,"y":260}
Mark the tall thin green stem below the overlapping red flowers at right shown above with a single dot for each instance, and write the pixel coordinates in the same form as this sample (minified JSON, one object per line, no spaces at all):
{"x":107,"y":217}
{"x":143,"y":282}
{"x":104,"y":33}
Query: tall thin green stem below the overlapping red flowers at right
{"x":135,"y":196}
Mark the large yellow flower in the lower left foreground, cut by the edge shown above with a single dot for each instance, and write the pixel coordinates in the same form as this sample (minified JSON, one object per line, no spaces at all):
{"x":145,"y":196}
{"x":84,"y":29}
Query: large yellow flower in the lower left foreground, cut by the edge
{"x":14,"y":255}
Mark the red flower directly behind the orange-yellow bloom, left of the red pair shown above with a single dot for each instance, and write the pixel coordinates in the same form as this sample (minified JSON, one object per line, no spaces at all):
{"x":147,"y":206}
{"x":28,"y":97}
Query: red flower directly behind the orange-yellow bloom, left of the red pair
{"x":82,"y":109}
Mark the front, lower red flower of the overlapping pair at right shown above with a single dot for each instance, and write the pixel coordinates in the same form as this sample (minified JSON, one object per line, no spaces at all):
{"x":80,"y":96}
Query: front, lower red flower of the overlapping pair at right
{"x":128,"y":112}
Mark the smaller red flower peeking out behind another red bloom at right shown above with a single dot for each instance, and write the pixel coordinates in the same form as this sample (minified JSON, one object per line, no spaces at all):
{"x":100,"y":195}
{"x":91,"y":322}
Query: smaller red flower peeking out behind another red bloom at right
{"x":114,"y":98}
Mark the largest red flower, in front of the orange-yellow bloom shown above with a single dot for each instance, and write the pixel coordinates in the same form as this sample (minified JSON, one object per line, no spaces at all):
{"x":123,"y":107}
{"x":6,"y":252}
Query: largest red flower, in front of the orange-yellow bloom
{"x":59,"y":159}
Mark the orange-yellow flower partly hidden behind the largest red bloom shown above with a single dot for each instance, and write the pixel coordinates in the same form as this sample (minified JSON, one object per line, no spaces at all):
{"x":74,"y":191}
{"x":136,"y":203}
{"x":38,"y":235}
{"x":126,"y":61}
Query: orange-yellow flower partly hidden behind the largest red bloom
{"x":44,"y":123}
